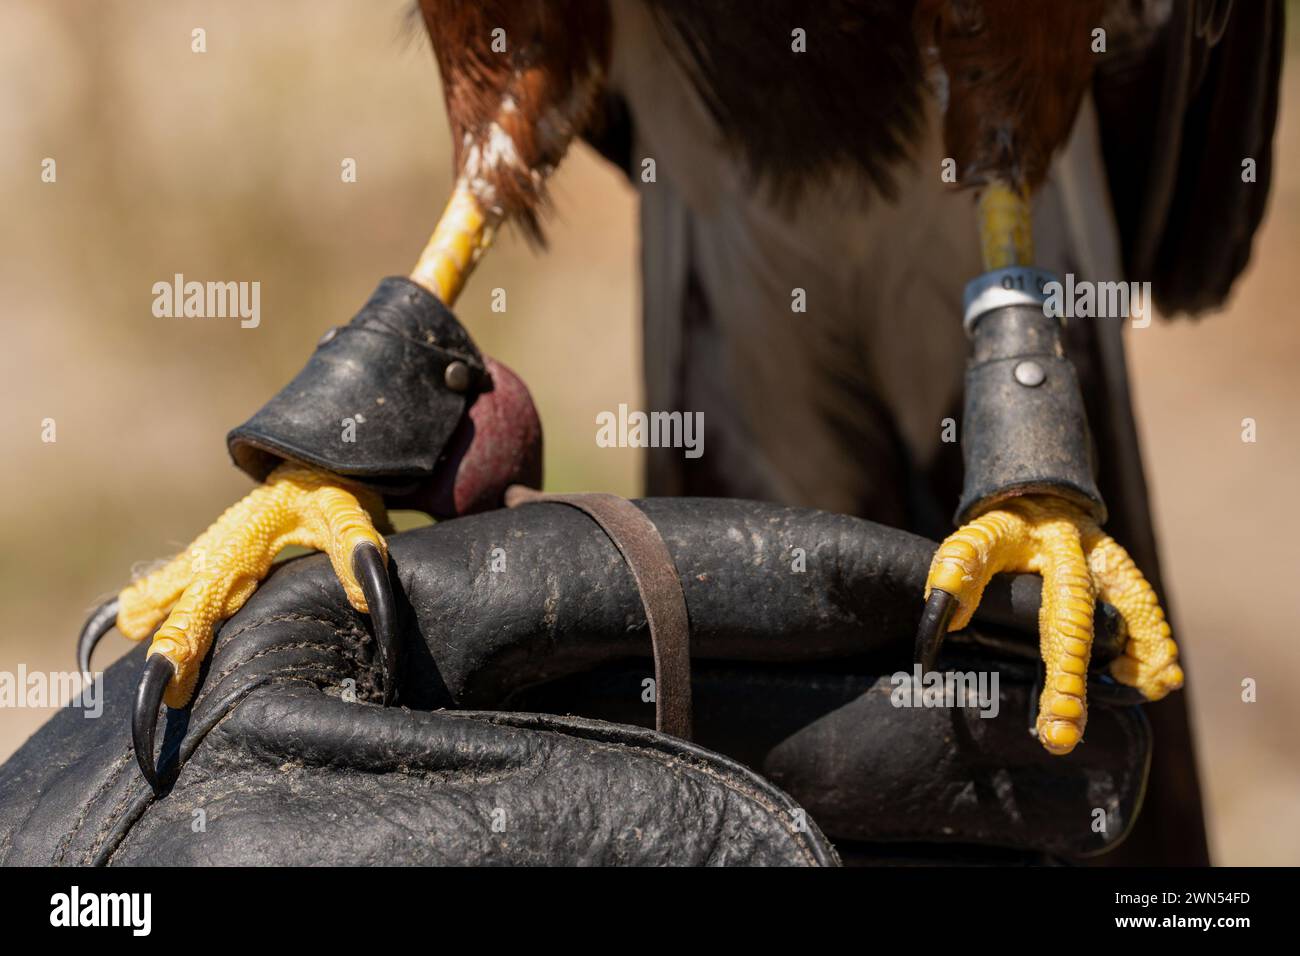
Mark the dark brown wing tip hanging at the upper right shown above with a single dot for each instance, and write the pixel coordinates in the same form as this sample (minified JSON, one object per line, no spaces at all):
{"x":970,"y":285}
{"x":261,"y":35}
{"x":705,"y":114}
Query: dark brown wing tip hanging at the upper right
{"x":1178,"y":116}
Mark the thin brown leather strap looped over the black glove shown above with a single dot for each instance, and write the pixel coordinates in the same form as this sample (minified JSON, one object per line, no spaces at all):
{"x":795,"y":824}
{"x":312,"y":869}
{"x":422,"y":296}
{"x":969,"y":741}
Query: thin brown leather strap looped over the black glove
{"x":656,"y":574}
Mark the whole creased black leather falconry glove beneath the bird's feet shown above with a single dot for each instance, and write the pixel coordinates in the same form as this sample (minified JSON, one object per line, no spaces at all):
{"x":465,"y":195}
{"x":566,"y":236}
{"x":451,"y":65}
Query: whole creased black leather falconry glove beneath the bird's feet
{"x":791,"y":678}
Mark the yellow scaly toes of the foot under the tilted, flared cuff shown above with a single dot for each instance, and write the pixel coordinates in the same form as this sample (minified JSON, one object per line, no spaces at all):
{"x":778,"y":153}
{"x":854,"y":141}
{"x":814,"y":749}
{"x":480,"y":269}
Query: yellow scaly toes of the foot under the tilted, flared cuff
{"x":218,"y":574}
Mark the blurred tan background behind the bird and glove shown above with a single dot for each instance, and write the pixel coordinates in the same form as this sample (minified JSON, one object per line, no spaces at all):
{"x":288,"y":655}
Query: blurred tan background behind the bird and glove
{"x":227,"y":166}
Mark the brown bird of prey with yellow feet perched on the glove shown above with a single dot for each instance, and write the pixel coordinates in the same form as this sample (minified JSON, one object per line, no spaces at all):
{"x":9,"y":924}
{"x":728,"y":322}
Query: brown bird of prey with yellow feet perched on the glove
{"x":865,"y":159}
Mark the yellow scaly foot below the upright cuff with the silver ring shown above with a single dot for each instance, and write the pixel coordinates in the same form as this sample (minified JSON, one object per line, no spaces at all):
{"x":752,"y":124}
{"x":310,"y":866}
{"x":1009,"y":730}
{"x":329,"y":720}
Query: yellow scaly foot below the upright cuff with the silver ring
{"x":1054,"y":538}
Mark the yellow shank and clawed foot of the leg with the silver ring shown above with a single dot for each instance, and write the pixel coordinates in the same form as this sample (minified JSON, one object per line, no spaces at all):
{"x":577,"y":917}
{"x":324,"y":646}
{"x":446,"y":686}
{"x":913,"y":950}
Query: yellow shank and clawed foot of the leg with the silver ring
{"x":1054,"y":534}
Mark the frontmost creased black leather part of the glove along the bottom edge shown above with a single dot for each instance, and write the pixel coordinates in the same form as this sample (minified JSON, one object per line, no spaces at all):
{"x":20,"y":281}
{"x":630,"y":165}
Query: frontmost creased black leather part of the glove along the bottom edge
{"x":294,"y":776}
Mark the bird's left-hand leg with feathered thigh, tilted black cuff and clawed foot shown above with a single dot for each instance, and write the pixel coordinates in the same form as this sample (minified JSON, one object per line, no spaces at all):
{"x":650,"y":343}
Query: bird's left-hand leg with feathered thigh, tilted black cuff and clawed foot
{"x":514,"y":113}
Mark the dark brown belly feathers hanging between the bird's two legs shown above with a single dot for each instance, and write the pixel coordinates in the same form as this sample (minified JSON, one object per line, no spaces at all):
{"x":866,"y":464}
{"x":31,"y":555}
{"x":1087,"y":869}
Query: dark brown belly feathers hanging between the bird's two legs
{"x":853,"y":101}
